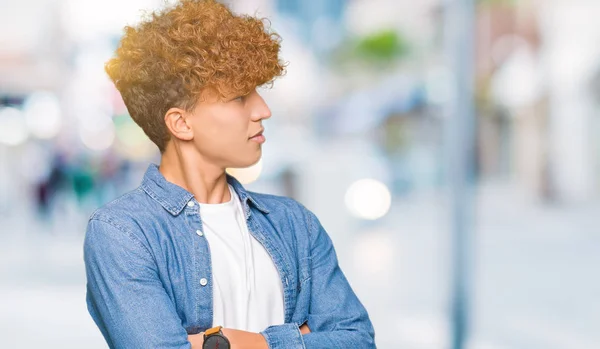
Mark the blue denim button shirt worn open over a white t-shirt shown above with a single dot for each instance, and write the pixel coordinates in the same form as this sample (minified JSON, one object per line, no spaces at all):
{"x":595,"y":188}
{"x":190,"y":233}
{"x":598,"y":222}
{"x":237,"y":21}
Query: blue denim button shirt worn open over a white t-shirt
{"x":149,"y":281}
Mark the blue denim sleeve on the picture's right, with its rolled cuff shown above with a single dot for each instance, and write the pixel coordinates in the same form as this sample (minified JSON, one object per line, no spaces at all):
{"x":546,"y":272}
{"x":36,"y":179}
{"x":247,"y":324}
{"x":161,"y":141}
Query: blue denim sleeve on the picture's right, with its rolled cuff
{"x":336,"y":318}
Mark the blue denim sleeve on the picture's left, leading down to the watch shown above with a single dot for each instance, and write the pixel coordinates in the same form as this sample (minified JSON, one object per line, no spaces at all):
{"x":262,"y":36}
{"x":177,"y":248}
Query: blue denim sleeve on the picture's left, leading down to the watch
{"x":125,"y":296}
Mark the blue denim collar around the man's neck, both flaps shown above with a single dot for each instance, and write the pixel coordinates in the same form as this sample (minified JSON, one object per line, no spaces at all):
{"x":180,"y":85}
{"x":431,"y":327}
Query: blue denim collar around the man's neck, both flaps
{"x":174,"y":198}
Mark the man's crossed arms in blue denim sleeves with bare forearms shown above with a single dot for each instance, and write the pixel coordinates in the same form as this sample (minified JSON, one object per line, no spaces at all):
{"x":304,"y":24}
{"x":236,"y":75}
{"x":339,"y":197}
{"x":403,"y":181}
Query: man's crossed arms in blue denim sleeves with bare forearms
{"x":128,"y":302}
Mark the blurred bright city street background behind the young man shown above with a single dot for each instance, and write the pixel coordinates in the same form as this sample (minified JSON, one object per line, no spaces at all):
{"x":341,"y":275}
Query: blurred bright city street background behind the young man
{"x":359,"y":134}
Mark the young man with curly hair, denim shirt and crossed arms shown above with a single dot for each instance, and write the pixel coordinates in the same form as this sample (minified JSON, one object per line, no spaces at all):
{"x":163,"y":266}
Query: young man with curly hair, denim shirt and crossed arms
{"x":190,"y":249}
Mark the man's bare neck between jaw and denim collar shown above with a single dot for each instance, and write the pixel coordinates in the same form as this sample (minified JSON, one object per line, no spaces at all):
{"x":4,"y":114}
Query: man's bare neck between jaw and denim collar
{"x":206,"y":181}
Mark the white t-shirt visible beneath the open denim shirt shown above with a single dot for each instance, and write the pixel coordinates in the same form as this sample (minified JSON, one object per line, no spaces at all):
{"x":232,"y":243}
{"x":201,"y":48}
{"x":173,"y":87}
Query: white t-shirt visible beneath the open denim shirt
{"x":247,"y":289}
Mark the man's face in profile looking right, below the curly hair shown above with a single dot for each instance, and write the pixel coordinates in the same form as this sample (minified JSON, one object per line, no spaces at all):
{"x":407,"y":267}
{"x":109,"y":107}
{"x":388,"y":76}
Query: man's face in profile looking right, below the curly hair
{"x":223,"y":131}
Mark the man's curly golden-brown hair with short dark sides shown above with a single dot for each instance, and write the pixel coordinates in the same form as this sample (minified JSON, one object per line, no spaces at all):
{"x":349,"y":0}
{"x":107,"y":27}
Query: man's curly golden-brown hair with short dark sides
{"x":183,"y":51}
